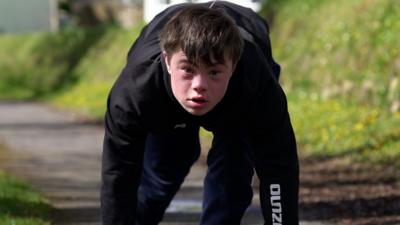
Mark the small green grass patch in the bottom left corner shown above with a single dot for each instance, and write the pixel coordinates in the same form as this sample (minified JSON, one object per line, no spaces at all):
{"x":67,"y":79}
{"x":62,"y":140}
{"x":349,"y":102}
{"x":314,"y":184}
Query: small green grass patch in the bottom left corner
{"x":20,"y":205}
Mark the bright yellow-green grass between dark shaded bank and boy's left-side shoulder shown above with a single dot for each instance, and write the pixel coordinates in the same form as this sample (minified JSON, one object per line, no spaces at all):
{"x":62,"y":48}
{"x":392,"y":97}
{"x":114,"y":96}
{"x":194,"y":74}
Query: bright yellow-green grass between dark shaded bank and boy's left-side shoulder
{"x":97,"y":72}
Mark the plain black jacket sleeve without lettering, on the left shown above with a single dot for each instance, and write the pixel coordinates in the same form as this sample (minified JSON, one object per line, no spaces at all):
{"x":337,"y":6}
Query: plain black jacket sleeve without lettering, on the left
{"x":123,"y":149}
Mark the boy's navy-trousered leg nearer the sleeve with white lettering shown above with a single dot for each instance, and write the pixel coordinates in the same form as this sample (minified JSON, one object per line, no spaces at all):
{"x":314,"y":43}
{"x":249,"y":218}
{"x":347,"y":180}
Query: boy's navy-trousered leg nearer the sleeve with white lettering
{"x":227,"y":188}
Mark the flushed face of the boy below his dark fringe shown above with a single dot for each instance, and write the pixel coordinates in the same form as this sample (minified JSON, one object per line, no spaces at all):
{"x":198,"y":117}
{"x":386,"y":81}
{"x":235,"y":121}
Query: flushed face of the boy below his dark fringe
{"x":198,"y":88}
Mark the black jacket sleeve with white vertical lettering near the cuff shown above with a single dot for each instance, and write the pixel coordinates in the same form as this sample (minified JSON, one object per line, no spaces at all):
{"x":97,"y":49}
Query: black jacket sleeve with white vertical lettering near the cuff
{"x":276,"y":159}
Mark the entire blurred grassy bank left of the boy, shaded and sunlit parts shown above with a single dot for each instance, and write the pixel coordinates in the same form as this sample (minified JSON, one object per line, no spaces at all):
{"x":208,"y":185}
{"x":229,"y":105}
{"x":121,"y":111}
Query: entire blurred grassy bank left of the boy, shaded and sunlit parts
{"x":74,"y":68}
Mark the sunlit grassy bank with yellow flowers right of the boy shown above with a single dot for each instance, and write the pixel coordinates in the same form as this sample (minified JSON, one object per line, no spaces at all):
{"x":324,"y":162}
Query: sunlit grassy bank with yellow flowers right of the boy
{"x":341,"y":70}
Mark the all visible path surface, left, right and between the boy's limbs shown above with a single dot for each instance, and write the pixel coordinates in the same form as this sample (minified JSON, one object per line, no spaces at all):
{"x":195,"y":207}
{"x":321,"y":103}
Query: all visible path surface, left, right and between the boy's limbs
{"x":60,"y":155}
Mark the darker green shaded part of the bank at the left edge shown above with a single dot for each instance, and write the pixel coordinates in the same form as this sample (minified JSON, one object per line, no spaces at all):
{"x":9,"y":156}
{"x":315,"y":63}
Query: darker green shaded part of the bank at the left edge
{"x":38,"y":64}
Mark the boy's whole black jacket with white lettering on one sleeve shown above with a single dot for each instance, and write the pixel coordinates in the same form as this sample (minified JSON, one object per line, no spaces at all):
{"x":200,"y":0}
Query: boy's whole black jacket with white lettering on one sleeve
{"x":141,"y":101}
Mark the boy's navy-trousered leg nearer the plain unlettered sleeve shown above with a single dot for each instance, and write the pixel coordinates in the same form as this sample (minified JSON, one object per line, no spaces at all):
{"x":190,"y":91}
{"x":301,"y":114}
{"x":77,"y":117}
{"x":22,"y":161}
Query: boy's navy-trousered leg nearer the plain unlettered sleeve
{"x":167,"y":160}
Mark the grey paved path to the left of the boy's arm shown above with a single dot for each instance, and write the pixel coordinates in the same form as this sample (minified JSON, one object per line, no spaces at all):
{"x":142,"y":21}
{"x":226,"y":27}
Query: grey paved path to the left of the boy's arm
{"x":58,"y":155}
